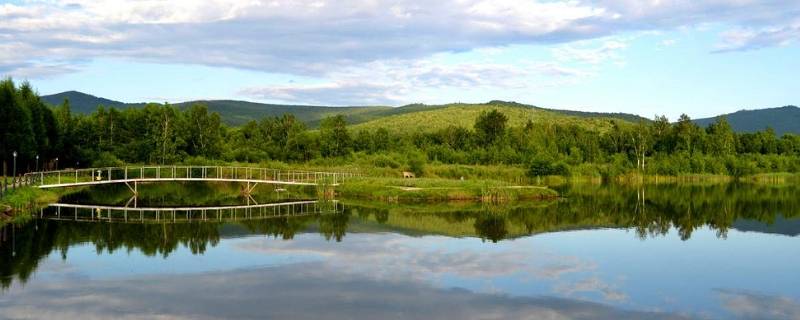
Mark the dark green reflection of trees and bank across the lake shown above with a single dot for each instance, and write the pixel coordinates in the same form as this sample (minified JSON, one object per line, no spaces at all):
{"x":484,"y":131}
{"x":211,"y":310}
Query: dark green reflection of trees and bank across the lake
{"x":651,"y":213}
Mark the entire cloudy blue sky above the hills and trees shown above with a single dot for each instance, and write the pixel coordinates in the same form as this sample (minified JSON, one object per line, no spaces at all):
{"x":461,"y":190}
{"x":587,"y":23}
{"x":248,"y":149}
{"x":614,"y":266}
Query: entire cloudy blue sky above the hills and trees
{"x":647,"y":57}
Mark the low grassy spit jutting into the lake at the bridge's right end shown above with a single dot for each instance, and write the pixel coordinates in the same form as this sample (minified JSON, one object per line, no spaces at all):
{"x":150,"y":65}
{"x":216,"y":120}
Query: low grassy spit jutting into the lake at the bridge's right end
{"x":432,"y":189}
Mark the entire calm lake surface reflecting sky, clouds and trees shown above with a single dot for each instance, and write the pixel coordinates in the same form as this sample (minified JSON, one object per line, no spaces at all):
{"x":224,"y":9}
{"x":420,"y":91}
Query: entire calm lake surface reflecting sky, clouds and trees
{"x":604,"y":252}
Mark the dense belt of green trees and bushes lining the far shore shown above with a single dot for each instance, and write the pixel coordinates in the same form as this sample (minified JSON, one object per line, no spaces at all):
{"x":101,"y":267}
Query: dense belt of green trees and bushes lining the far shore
{"x":164,"y":134}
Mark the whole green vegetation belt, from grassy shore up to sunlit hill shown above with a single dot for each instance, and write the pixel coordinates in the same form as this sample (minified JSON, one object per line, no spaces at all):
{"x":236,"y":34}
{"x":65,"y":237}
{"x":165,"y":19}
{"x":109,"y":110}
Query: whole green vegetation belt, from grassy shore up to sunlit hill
{"x":493,"y":151}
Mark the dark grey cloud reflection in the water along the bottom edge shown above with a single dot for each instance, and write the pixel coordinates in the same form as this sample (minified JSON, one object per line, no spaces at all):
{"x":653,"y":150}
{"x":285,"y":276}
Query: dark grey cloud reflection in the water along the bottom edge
{"x":307,"y":291}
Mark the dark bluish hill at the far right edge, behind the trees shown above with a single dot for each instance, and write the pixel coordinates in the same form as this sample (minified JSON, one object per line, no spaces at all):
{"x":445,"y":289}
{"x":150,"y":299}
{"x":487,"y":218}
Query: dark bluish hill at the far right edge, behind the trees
{"x":782,"y":120}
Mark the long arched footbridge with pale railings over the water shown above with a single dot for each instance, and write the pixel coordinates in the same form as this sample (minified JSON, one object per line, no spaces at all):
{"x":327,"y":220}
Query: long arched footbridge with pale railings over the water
{"x":131,"y":176}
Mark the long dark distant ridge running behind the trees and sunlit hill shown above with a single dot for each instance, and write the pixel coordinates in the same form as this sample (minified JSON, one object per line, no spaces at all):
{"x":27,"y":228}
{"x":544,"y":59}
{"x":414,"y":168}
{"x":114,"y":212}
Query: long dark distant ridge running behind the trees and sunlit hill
{"x":236,"y":113}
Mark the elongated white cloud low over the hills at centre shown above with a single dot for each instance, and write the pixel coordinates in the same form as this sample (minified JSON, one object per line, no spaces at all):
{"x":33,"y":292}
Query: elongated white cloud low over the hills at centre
{"x":392,"y":82}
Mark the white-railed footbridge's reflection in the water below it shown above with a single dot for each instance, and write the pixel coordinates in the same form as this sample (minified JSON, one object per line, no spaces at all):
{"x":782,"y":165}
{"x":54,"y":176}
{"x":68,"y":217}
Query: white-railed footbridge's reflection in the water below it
{"x":124,"y":214}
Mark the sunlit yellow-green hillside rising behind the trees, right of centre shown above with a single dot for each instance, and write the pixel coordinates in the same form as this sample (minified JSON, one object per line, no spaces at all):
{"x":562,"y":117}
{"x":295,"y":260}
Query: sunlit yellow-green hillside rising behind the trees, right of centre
{"x":464,"y":115}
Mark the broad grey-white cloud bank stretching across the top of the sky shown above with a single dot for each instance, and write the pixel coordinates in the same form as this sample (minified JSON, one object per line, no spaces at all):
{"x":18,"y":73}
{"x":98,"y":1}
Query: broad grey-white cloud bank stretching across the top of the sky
{"x":311,"y":37}
